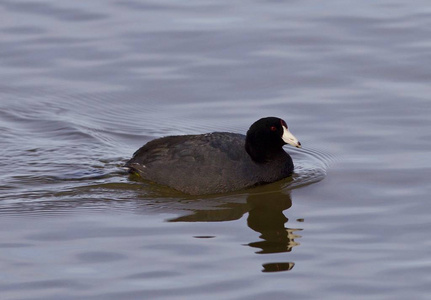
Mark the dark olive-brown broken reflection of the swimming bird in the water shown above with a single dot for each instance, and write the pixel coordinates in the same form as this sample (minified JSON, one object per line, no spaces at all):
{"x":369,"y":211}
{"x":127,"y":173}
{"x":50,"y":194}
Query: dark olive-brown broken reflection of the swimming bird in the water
{"x":265,"y":216}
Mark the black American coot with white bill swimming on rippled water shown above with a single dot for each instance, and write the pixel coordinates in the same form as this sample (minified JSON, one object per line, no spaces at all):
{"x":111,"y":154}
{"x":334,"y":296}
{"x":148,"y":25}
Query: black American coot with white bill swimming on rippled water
{"x":218,"y":162}
